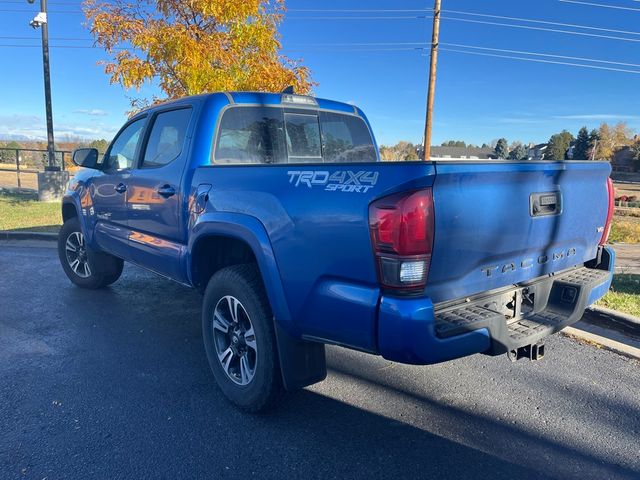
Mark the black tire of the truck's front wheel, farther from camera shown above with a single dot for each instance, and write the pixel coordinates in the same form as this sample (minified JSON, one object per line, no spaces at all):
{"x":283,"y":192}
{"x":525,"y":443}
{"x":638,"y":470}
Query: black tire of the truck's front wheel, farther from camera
{"x":101,"y":269}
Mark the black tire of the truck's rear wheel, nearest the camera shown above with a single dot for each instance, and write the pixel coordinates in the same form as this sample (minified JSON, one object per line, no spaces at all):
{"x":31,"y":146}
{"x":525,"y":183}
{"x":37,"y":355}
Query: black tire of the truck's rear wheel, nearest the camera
{"x":244,"y":284}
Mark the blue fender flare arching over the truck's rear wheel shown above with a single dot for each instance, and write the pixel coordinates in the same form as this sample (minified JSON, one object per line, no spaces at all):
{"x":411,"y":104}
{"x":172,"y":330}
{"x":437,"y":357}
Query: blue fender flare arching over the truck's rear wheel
{"x":250,"y":230}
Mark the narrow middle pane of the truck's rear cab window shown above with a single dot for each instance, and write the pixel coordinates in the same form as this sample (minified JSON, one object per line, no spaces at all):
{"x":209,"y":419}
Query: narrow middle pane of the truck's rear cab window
{"x":303,"y":137}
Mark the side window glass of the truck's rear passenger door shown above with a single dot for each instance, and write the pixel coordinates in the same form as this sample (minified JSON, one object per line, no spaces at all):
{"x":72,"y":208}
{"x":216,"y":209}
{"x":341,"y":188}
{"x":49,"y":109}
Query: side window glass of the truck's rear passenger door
{"x":166,"y":140}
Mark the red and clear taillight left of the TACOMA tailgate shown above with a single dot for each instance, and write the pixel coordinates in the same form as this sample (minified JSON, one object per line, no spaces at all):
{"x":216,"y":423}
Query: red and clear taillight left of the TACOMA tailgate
{"x":402,"y":235}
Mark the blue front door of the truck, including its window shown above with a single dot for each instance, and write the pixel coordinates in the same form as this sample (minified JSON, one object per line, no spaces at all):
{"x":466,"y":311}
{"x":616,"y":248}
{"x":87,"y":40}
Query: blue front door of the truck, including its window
{"x":108,"y":190}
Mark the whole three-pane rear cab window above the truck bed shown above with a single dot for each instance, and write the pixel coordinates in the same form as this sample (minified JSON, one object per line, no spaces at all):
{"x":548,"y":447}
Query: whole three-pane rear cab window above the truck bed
{"x":271,"y":135}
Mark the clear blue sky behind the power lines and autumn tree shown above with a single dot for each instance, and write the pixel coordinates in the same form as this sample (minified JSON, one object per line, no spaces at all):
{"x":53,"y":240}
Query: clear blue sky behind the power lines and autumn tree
{"x":479,"y":98}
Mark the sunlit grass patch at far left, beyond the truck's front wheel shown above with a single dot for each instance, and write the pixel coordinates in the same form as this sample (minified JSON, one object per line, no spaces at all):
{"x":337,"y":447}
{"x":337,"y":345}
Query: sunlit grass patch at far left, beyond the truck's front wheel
{"x":25,"y":213}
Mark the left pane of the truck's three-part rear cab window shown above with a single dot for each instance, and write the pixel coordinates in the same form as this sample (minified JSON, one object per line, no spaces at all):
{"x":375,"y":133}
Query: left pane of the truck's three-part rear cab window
{"x":251,"y":135}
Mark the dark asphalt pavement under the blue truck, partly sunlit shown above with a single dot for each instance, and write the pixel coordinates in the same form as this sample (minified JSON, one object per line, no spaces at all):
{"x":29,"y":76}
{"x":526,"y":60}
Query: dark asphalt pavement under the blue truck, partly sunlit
{"x":115,"y":384}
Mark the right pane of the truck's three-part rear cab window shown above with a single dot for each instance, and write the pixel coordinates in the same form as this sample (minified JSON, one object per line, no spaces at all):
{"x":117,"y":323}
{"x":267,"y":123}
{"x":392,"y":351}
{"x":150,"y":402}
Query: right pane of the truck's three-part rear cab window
{"x":346,"y":138}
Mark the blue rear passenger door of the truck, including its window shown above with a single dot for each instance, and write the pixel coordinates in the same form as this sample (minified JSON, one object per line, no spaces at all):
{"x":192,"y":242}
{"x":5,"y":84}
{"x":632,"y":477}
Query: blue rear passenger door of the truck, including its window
{"x":156,"y":202}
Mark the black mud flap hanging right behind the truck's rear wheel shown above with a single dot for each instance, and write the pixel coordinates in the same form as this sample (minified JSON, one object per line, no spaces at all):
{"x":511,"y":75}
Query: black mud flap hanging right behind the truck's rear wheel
{"x":302,"y":363}
